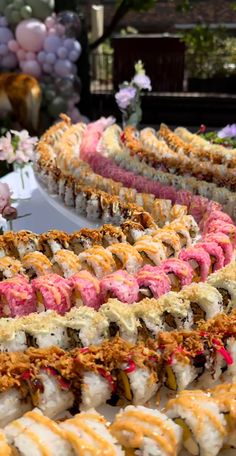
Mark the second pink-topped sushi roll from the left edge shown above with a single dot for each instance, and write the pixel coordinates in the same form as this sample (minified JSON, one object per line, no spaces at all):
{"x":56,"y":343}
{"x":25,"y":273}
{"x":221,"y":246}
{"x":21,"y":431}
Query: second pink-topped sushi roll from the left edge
{"x":53,"y":292}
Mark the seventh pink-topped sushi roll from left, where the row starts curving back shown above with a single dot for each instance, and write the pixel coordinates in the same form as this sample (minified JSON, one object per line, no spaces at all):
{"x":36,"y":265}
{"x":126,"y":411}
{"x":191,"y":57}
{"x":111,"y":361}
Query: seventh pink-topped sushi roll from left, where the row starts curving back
{"x":199,"y":260}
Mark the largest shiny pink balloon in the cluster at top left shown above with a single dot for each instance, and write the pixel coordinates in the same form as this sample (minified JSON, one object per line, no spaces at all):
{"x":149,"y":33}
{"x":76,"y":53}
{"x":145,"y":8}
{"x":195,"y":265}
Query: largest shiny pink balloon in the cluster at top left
{"x":31,"y":34}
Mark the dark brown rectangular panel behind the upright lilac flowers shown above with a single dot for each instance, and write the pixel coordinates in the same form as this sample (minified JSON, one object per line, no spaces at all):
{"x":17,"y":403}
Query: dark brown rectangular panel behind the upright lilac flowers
{"x":163,"y":57}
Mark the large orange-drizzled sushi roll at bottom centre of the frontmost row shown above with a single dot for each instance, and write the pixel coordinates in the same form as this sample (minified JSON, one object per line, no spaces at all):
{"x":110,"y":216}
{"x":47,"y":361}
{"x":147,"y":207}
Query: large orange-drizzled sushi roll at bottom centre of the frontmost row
{"x":147,"y":432}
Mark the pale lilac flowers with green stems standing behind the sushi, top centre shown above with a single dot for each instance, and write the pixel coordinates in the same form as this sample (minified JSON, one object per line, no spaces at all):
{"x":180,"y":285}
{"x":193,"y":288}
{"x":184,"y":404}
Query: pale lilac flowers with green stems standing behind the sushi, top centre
{"x":128,"y":98}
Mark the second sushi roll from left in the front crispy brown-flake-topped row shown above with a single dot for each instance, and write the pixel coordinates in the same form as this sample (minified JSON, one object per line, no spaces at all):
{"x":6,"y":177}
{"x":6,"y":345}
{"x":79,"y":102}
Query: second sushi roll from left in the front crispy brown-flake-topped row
{"x":49,"y":391}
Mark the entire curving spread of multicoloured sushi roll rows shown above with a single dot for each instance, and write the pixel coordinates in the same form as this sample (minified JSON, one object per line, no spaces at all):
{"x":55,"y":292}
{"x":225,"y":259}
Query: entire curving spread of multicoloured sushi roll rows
{"x":136,"y":317}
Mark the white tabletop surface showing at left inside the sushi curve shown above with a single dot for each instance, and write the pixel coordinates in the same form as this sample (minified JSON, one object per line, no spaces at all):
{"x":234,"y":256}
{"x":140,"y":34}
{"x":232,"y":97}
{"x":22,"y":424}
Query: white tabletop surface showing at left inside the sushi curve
{"x":43,"y":216}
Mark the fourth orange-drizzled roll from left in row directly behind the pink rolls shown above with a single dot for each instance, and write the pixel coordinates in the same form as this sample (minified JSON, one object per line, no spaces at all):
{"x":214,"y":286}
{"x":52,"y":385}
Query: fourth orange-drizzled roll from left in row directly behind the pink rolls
{"x":98,"y":261}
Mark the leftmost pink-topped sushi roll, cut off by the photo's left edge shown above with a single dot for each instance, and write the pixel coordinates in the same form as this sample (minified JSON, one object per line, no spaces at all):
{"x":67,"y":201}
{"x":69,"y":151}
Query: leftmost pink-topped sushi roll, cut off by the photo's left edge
{"x":16,"y":297}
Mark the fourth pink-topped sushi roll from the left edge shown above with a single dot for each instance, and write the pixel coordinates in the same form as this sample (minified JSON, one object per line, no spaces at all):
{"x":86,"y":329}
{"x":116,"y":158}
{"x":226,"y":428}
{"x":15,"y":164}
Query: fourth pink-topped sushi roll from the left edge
{"x":119,"y":285}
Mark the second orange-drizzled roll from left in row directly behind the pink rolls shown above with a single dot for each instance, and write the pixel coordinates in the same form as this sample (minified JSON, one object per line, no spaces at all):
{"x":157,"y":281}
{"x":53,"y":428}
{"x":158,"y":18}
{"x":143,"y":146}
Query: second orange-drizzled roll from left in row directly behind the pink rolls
{"x":36,"y":264}
